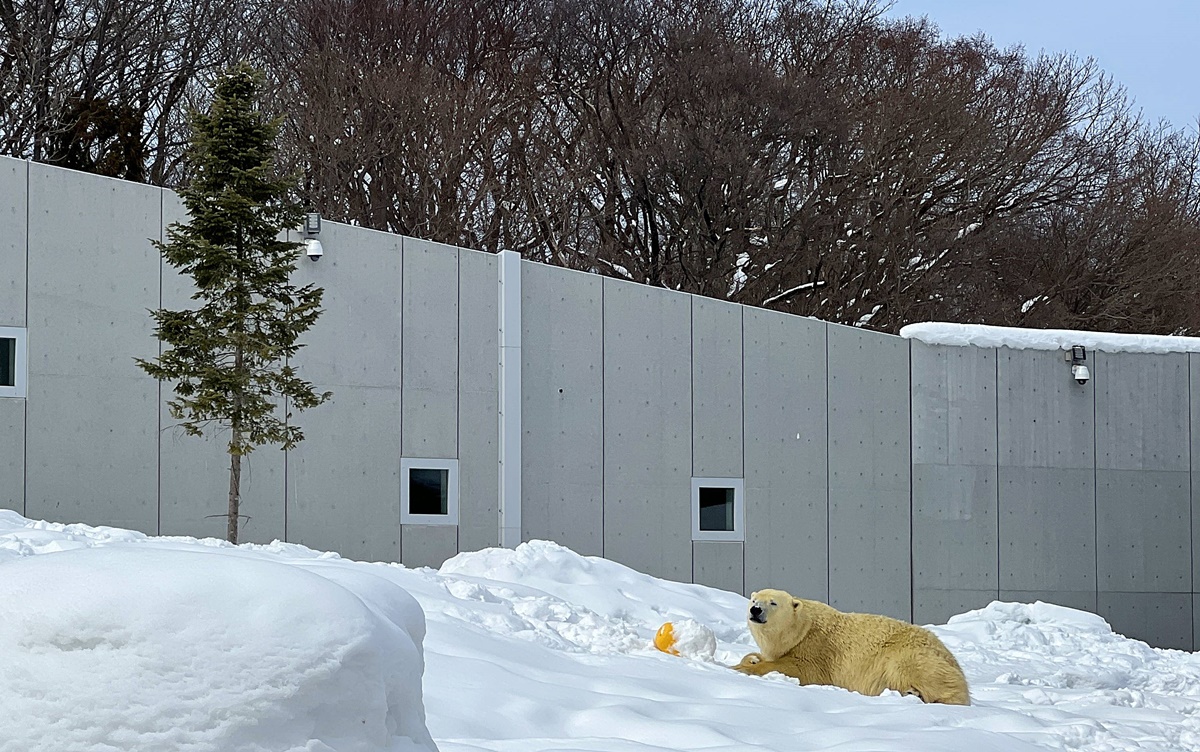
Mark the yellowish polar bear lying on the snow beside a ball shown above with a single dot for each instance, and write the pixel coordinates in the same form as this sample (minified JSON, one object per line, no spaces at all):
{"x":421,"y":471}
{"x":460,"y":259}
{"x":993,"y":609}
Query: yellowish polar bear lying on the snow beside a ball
{"x":866,"y":653}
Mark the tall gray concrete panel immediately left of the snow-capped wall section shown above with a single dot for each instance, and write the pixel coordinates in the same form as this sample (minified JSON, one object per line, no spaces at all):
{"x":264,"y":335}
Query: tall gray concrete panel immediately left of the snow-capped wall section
{"x":869,"y":473}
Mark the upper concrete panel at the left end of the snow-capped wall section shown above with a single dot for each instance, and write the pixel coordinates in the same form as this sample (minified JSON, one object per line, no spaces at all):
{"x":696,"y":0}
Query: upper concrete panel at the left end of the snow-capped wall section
{"x":953,"y":406}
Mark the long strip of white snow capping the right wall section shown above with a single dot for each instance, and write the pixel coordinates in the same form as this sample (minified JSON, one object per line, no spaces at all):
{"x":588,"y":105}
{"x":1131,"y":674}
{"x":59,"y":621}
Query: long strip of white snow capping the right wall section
{"x":982,"y":336}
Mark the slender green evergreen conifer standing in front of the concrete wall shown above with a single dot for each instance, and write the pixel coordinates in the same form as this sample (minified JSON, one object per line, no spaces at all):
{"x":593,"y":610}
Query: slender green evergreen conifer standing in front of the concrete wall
{"x":229,"y":358}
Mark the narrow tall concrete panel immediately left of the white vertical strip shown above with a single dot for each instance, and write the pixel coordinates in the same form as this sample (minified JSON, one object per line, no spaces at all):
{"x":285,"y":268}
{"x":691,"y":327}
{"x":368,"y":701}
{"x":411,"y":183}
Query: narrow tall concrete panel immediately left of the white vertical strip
{"x":478,"y":402}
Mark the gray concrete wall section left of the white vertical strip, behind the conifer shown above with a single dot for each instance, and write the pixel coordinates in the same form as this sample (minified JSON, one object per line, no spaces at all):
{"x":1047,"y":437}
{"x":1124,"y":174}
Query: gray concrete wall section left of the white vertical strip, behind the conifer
{"x":99,"y":446}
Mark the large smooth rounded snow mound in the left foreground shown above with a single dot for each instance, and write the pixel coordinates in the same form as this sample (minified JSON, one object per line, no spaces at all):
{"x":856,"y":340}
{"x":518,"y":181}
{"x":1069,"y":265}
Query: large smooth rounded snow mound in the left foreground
{"x":135,"y":647}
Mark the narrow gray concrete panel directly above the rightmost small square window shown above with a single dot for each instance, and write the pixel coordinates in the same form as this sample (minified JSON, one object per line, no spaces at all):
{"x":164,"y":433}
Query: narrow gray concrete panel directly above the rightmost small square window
{"x":716,"y":389}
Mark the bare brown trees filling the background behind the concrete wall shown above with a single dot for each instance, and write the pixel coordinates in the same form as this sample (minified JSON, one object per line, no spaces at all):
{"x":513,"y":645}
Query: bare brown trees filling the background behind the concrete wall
{"x":811,"y":157}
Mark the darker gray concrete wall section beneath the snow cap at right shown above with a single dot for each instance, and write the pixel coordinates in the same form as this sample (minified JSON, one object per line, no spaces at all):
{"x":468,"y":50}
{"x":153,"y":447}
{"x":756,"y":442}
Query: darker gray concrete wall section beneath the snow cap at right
{"x":1029,"y":486}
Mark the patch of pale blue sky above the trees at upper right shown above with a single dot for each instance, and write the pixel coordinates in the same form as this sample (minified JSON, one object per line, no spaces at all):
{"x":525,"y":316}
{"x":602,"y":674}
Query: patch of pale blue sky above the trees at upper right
{"x":1153,"y":47}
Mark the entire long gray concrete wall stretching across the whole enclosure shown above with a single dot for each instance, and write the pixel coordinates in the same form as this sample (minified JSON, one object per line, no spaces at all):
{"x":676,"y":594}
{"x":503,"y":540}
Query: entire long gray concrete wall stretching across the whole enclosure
{"x":880,"y":474}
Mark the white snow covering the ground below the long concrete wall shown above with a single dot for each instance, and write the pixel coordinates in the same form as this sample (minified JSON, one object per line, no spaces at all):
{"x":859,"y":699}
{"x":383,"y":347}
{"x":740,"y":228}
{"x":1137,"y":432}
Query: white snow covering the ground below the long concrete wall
{"x":115,"y":641}
